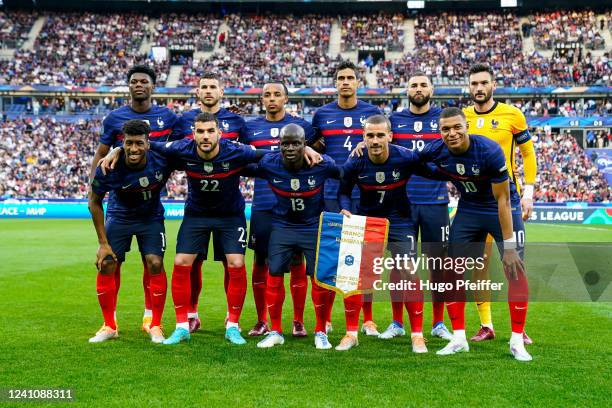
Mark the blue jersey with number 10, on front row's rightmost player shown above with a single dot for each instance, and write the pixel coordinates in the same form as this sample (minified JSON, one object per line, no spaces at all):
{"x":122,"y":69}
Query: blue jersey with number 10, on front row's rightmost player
{"x":473,"y":172}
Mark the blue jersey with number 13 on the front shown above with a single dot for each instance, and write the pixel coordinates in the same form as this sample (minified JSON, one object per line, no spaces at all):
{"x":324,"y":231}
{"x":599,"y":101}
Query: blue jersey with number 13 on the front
{"x":299,"y":194}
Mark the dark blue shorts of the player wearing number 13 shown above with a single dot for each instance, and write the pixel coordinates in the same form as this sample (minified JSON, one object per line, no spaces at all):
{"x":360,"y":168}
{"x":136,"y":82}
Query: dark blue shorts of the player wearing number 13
{"x":285,"y":241}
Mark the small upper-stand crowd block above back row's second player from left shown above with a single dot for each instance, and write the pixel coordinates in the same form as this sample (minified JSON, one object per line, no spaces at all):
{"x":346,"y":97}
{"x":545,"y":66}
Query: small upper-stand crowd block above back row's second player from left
{"x":186,"y":30}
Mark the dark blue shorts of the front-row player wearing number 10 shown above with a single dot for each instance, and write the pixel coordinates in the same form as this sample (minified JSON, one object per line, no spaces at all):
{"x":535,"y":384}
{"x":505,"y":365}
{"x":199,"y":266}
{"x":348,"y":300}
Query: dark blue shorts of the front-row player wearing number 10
{"x":468,"y":233}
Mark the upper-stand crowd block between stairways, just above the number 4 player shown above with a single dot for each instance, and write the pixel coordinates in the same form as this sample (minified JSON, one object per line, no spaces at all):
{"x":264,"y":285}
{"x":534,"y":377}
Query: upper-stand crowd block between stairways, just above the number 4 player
{"x":378,"y":31}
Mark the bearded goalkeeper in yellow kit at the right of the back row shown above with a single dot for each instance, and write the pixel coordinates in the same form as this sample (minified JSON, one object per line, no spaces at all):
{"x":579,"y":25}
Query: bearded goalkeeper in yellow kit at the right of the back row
{"x":506,"y":125}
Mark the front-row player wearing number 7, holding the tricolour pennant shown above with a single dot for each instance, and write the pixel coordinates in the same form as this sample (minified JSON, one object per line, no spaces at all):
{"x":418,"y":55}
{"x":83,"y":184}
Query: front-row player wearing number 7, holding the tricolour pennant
{"x":381,"y":174}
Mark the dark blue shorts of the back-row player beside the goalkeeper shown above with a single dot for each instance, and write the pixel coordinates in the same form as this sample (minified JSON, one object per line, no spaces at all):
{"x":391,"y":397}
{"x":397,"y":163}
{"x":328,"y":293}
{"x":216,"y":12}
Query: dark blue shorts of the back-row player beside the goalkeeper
{"x":432,"y":222}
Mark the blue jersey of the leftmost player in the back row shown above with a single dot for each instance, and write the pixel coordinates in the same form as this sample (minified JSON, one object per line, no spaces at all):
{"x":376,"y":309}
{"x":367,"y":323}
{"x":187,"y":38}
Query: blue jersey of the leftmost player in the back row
{"x":165,"y":125}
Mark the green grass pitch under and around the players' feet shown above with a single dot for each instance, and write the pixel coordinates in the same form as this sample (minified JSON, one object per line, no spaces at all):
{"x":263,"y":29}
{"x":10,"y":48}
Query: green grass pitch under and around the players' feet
{"x":48,"y":310}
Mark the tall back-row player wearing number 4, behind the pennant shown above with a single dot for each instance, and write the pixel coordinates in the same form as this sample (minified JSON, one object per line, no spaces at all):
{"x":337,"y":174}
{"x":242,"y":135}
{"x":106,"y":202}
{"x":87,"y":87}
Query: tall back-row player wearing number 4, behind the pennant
{"x":339,"y":128}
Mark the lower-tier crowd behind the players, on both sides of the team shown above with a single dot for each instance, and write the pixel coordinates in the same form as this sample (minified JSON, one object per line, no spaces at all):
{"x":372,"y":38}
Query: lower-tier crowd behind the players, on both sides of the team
{"x":46,"y":157}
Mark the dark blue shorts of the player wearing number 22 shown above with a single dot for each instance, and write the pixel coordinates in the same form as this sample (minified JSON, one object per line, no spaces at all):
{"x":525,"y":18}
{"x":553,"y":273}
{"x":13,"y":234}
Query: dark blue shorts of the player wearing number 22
{"x":195,"y":231}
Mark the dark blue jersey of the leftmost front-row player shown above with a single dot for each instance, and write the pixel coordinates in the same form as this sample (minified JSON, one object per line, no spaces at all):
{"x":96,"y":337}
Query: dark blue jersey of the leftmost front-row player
{"x":135,"y":193}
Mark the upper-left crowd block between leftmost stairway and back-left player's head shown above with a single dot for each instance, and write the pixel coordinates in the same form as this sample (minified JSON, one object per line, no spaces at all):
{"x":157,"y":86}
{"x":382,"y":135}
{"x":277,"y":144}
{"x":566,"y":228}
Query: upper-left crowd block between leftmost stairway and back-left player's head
{"x":82,"y":49}
